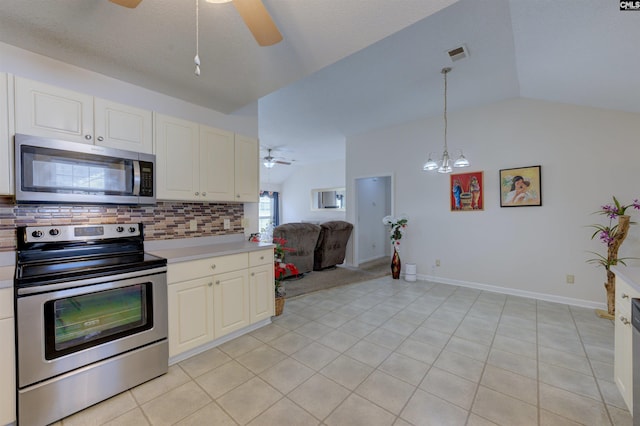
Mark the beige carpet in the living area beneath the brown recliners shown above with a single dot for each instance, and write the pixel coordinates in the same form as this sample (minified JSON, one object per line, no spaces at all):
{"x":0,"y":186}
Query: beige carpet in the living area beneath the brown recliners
{"x":341,"y":275}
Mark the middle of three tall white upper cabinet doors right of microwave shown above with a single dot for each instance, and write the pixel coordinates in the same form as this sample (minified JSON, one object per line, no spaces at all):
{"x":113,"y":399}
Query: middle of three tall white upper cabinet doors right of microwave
{"x":216,"y":164}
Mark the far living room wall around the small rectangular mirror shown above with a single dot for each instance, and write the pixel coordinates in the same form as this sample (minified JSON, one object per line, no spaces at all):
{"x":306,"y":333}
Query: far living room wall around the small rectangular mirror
{"x":296,"y":192}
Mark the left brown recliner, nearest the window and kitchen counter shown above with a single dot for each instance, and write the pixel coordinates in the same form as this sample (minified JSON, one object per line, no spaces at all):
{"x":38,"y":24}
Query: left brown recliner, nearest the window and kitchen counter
{"x":301,"y":240}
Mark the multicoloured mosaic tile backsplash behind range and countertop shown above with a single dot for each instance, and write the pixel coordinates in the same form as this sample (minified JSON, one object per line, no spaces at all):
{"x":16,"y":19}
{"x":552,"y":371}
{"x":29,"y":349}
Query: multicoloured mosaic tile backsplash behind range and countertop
{"x":166,"y":220}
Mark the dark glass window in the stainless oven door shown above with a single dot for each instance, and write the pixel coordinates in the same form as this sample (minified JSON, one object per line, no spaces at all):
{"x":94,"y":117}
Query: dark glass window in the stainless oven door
{"x":79,"y":322}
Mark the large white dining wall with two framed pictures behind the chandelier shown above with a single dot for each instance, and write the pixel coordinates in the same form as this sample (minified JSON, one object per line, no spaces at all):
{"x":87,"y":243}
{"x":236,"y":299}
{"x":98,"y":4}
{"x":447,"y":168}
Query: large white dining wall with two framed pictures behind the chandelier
{"x":587,"y":156}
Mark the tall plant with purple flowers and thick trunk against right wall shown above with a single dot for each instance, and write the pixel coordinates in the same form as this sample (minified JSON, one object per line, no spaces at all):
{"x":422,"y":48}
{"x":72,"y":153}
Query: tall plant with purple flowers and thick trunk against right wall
{"x":613,"y":236}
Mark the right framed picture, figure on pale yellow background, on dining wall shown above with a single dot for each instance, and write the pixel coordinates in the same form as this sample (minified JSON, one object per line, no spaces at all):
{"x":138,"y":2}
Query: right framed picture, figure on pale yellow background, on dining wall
{"x":520,"y":187}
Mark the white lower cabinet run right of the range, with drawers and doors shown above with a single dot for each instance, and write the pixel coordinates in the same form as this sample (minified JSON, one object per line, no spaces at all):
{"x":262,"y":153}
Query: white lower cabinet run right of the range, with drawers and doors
{"x":210,"y":298}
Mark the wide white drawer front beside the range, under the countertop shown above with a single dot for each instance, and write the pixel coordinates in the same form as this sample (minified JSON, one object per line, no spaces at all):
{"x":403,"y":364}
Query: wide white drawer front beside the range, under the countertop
{"x":205,"y":267}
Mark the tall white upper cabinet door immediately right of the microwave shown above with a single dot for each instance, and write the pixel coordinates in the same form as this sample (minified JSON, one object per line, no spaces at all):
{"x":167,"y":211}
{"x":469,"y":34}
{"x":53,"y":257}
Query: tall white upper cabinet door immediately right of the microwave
{"x":177,"y":159}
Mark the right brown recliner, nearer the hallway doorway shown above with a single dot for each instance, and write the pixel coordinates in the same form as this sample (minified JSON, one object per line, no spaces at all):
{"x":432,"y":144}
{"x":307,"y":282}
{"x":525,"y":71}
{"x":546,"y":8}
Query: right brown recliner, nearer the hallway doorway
{"x":332,"y":244}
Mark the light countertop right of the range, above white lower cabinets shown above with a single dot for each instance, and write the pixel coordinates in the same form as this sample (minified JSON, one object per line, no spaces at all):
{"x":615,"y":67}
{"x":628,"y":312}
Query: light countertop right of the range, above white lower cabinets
{"x":187,"y":249}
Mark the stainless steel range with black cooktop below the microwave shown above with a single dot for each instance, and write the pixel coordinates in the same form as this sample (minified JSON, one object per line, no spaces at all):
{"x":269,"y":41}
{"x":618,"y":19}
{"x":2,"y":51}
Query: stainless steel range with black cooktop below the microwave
{"x":91,"y":317}
